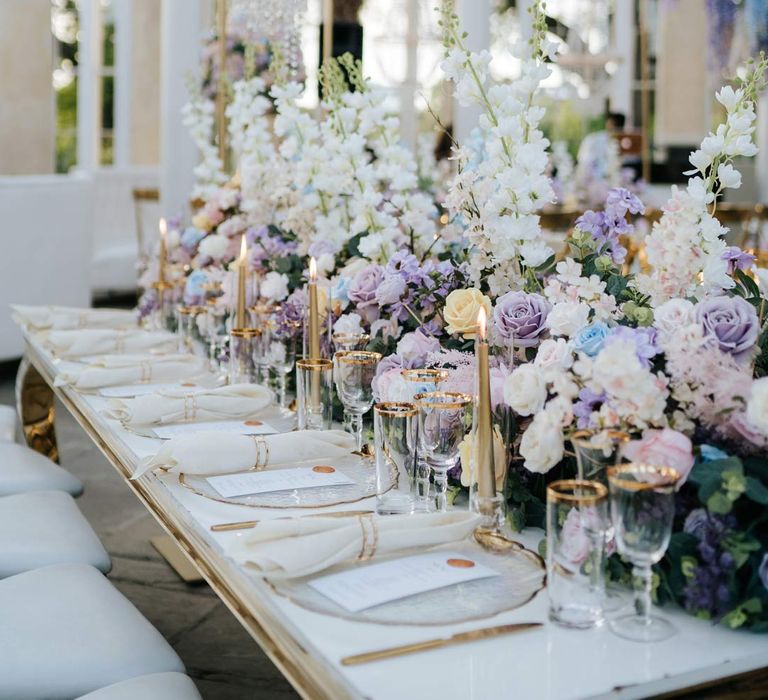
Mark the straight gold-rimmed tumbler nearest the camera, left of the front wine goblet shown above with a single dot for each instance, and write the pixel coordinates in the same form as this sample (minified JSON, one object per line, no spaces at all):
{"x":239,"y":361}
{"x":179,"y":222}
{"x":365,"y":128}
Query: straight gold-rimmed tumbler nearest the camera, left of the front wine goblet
{"x":576,"y":520}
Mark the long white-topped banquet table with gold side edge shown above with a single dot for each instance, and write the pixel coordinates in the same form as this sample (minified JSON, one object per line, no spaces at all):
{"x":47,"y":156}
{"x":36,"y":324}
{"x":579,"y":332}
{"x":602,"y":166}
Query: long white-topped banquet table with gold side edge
{"x":549,"y":662}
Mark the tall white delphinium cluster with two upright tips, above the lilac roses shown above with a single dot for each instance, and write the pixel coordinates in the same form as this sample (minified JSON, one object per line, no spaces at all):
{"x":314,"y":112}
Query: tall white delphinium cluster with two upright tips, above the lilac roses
{"x":501,"y":182}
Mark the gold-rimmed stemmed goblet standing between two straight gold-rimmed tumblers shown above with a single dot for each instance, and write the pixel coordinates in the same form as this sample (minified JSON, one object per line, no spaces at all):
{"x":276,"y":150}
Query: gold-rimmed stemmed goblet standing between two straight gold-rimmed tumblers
{"x":354,"y":372}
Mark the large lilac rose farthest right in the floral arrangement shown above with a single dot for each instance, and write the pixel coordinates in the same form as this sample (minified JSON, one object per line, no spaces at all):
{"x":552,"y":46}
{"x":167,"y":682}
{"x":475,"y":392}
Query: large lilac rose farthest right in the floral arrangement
{"x":732,"y":321}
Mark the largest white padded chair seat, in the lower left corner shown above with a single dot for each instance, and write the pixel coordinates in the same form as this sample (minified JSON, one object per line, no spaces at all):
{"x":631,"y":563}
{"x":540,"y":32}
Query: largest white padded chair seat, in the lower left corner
{"x":66,"y":631}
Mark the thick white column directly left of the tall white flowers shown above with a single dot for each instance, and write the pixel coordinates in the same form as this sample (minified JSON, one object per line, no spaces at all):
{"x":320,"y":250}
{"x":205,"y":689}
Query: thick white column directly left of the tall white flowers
{"x":181,"y":34}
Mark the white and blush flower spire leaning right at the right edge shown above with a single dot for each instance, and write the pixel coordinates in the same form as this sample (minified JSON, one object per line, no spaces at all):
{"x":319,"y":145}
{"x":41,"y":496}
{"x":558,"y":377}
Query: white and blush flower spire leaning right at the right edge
{"x":685,"y":248}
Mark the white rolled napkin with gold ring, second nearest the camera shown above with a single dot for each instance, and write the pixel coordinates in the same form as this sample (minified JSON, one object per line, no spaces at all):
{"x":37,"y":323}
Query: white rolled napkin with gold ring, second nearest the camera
{"x":213,"y":452}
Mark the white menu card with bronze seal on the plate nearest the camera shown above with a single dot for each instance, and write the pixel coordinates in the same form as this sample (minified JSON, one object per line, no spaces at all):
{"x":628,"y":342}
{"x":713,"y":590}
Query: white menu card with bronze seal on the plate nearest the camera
{"x":366,"y":586}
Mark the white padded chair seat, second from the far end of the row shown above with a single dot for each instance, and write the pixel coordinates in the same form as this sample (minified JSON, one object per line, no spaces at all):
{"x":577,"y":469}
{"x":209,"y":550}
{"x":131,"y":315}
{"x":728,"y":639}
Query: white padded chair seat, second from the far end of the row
{"x":23,"y":470}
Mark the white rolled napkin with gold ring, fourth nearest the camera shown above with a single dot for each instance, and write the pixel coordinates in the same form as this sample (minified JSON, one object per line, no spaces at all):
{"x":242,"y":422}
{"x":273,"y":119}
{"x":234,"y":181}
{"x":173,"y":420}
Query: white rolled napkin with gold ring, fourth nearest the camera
{"x":115,"y":370}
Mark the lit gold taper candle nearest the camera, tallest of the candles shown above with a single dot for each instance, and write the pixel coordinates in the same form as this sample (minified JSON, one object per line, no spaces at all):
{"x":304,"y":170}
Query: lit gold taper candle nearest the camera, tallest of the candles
{"x":486,"y":473}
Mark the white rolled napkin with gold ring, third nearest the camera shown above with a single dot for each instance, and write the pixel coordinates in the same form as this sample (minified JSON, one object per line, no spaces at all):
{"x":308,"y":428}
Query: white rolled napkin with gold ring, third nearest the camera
{"x":234,"y":402}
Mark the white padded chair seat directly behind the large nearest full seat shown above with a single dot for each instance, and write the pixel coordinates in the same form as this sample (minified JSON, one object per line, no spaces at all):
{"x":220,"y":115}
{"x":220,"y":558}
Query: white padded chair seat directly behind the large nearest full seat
{"x":43,"y":528}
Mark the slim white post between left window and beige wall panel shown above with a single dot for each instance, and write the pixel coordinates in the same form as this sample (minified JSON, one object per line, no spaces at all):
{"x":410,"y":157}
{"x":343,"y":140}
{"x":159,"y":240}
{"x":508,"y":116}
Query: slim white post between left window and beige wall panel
{"x":123,"y":10}
